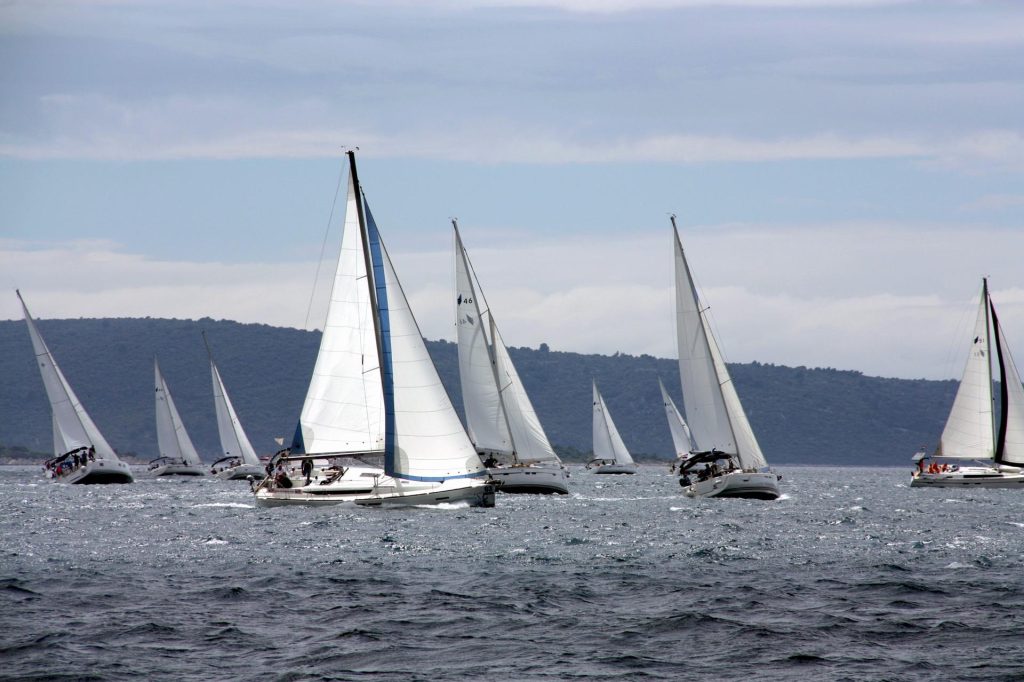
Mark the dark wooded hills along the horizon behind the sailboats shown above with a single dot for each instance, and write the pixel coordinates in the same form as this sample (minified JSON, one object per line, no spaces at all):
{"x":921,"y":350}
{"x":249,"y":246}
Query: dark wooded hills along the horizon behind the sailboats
{"x":800,"y":415}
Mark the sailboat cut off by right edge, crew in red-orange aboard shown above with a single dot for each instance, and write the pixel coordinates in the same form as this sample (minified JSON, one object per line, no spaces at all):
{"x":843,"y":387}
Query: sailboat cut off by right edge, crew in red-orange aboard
{"x":972,"y":432}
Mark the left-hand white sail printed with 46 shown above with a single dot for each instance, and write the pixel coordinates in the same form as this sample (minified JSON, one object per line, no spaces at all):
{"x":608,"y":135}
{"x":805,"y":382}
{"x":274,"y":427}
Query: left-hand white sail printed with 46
{"x":485,"y":415}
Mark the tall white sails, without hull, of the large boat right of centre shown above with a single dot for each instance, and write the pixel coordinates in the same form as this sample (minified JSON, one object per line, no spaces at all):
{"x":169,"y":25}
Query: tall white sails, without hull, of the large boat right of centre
{"x":714,"y":412}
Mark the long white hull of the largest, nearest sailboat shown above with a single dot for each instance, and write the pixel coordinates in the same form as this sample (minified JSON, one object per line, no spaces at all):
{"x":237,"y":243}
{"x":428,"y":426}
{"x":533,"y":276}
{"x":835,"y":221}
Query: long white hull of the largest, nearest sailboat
{"x":389,"y":494}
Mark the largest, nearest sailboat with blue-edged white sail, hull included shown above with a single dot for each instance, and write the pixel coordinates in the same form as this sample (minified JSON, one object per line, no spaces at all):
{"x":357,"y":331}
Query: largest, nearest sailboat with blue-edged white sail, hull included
{"x":375,"y":395}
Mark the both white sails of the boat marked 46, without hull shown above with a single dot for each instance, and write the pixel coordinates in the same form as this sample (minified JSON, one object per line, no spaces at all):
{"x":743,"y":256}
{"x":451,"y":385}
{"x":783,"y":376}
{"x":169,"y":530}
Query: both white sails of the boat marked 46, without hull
{"x":500,"y":416}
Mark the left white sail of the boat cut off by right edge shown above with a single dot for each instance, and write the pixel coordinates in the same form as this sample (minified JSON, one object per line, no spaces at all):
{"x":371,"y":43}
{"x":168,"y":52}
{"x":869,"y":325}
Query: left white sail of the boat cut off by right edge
{"x":968,"y":434}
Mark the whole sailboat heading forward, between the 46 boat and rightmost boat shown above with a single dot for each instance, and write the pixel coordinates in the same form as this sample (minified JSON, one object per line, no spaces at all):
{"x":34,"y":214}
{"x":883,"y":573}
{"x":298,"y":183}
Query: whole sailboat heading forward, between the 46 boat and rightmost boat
{"x":727,"y":460}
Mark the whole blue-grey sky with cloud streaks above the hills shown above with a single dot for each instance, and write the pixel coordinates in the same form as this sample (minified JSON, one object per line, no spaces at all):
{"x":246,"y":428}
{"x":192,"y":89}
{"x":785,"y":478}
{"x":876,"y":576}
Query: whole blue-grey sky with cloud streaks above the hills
{"x":844,"y":172}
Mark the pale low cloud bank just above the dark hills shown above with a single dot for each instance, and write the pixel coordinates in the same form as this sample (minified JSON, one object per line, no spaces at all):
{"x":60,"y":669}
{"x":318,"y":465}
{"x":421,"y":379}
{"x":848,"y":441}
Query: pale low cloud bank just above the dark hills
{"x":886,"y":300}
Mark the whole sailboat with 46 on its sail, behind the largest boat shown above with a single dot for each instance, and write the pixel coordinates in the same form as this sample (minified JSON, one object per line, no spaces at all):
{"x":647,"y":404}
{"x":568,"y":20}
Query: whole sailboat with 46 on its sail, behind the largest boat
{"x":500,"y":417}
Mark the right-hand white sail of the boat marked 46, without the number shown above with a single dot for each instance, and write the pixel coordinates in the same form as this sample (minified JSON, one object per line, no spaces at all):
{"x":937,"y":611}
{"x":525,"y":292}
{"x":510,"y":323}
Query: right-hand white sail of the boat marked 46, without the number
{"x":532,"y":443}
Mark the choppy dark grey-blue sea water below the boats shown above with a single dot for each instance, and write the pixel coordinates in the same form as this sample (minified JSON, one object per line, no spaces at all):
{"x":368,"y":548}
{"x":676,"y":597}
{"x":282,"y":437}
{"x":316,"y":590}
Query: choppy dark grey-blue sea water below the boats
{"x":851,"y":576}
